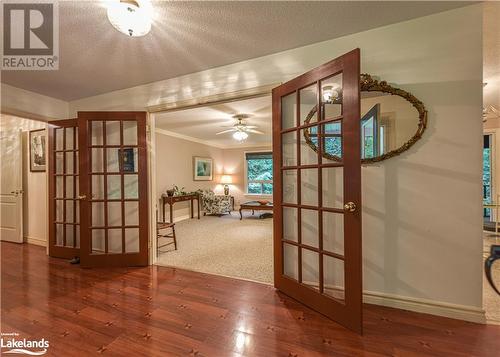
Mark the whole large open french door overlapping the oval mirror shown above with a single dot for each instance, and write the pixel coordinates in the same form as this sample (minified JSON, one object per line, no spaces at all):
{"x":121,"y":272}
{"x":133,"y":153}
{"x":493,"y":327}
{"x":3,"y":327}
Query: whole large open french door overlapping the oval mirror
{"x":317,"y":200}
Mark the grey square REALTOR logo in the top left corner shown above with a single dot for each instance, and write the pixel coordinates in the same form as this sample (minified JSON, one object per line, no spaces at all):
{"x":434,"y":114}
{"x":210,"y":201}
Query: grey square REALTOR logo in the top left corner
{"x":30,"y":35}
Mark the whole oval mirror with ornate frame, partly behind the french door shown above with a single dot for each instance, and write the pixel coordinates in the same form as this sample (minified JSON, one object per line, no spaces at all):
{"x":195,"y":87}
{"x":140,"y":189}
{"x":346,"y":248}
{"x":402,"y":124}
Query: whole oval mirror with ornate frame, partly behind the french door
{"x":392,"y":120}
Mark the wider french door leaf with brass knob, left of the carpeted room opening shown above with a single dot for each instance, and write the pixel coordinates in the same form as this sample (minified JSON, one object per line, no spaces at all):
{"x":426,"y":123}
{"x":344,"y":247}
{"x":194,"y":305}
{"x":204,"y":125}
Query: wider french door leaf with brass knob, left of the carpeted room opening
{"x":113,"y":189}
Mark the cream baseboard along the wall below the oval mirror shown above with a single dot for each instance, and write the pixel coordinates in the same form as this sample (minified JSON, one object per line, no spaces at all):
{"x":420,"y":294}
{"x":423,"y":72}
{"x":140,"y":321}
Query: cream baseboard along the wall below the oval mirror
{"x":454,"y":311}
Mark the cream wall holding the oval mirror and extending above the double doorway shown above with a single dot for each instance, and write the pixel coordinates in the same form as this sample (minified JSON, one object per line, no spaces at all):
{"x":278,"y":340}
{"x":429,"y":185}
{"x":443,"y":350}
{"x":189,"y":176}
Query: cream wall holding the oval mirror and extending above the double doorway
{"x":422,"y":210}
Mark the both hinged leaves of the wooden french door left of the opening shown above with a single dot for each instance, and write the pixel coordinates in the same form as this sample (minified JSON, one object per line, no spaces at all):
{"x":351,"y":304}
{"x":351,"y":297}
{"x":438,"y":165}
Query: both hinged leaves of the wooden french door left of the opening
{"x":98,"y":189}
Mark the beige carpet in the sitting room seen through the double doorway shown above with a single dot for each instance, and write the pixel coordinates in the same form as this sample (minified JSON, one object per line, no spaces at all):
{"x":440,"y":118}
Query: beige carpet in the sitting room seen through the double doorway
{"x":224,"y":246}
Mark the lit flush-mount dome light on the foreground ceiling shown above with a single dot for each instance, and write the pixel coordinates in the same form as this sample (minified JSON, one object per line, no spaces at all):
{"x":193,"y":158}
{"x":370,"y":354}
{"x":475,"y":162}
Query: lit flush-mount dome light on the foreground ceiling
{"x":131,"y":17}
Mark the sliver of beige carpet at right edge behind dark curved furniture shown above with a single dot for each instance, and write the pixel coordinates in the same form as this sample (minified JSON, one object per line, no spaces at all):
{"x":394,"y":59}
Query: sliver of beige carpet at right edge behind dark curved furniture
{"x":491,"y":300}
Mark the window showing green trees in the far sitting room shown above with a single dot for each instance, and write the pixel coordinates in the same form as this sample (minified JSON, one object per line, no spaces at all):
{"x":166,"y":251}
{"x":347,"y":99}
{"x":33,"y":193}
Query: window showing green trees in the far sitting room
{"x":259,"y":173}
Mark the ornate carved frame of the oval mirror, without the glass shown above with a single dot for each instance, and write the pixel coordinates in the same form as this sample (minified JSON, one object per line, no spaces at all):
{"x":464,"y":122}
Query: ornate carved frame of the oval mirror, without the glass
{"x":368,"y":84}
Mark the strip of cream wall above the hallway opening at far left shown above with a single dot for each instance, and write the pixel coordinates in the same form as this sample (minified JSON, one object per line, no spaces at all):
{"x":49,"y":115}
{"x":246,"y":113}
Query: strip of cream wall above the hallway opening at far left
{"x":32,"y":105}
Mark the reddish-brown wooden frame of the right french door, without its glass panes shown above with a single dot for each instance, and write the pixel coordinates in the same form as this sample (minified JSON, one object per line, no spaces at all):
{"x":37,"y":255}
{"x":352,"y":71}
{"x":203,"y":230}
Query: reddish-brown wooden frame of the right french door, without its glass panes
{"x":349,"y":65}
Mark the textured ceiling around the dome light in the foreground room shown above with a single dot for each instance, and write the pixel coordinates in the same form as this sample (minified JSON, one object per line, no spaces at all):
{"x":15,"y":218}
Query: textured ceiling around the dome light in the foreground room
{"x":187,"y":37}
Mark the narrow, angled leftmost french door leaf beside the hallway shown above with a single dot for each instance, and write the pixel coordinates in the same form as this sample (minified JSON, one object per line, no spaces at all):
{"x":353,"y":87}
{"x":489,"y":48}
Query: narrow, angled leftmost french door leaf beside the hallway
{"x":64,"y":210}
